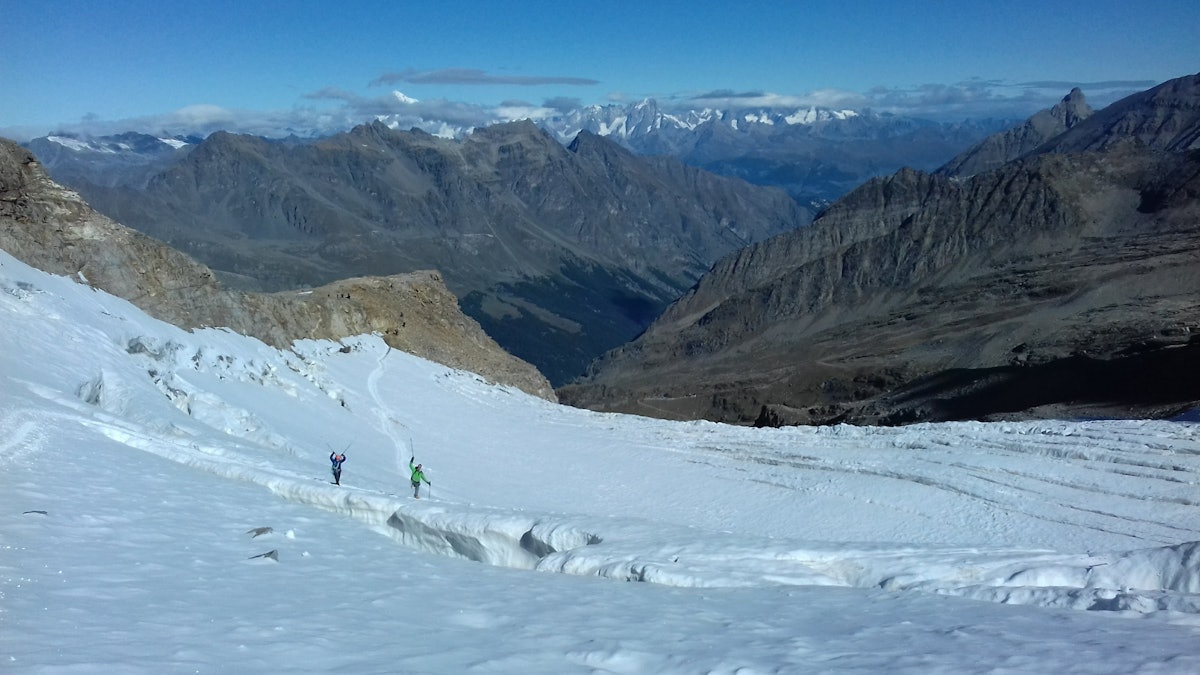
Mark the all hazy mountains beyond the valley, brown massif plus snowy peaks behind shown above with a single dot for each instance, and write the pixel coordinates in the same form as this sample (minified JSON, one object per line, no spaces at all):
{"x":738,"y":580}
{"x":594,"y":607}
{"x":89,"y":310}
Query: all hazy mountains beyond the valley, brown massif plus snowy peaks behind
{"x":560,"y":252}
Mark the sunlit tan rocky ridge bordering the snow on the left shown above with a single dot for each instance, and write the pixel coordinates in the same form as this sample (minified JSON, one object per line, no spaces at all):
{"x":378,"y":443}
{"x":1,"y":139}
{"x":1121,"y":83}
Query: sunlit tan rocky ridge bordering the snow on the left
{"x":55,"y":230}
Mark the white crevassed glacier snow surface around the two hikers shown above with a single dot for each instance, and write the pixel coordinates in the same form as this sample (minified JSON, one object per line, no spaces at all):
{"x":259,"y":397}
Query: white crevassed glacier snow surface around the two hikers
{"x":148,"y":473}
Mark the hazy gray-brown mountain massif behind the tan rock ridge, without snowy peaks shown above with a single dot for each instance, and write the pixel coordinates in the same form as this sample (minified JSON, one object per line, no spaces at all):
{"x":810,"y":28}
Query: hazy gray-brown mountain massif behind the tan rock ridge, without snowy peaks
{"x":561,"y":253}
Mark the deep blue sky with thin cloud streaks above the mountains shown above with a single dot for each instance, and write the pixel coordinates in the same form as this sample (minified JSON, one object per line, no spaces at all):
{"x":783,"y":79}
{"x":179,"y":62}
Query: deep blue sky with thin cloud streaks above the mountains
{"x":262,"y":65}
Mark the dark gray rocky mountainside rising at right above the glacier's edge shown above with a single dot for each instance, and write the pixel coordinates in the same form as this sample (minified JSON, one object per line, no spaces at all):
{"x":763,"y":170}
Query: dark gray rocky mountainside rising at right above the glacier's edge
{"x":1065,"y":284}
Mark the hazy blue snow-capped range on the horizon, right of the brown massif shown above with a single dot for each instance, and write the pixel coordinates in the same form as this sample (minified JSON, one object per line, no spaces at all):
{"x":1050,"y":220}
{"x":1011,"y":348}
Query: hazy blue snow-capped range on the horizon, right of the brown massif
{"x":815,"y":154}
